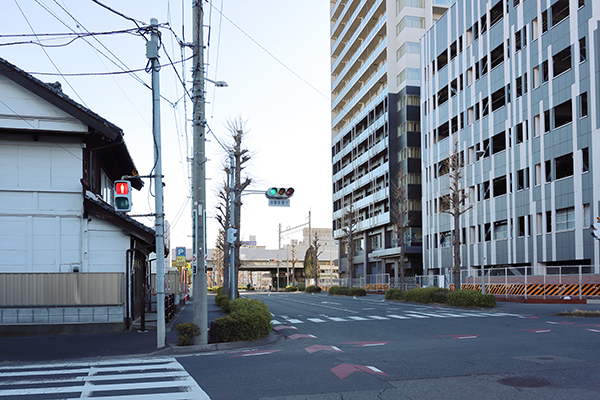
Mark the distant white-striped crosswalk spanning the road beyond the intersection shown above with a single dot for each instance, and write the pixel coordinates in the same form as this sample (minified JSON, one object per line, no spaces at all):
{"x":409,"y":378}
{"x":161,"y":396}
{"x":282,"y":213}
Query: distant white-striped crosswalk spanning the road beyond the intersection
{"x":284,"y":319}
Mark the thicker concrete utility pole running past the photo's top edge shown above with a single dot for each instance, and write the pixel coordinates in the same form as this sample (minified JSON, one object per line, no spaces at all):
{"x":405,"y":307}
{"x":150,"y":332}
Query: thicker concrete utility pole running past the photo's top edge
{"x":199,"y":177}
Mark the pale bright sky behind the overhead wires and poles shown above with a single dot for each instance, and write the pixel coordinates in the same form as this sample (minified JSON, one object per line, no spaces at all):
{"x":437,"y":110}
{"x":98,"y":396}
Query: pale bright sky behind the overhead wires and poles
{"x":273,"y":54}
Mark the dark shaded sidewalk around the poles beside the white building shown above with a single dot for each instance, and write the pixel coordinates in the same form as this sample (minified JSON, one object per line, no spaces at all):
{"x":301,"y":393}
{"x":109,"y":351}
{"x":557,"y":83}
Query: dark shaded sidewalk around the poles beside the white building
{"x":133,"y":342}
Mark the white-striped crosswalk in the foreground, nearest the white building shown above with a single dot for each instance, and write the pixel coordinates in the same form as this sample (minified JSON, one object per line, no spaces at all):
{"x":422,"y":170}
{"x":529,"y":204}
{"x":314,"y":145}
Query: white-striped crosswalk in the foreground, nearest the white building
{"x":134,"y":378}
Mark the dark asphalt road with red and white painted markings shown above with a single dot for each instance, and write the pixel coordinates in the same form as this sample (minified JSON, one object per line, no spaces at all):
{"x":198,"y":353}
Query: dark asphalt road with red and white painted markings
{"x":360,"y":348}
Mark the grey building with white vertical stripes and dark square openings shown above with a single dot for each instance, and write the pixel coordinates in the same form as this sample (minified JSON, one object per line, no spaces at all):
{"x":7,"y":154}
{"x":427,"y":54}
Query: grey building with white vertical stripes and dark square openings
{"x":516,"y":86}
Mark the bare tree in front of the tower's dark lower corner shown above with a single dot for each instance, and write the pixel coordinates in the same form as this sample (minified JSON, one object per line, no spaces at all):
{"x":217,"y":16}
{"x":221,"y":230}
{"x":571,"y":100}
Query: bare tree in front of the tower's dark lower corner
{"x":402,"y":220}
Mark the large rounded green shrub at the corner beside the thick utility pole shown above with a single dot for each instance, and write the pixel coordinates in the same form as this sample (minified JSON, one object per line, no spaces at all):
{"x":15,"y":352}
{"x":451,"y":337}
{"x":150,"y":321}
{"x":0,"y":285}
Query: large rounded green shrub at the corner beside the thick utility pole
{"x":247,"y":320}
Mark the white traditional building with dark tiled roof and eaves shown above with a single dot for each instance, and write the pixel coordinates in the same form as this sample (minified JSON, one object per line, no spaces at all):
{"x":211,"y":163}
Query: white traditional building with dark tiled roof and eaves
{"x":68,"y":261}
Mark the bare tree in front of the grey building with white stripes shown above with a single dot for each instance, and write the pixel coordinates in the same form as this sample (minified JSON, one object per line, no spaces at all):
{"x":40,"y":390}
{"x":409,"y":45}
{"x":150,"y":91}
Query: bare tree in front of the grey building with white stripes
{"x":455,"y":204}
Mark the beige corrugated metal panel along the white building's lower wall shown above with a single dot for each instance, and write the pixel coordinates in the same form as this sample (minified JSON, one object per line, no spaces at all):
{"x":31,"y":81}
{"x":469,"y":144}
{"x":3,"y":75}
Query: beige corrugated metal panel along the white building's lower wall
{"x":18,"y":290}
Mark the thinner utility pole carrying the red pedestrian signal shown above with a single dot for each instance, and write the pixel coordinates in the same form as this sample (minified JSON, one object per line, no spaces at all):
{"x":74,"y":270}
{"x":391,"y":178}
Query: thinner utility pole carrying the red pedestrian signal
{"x":152,"y":54}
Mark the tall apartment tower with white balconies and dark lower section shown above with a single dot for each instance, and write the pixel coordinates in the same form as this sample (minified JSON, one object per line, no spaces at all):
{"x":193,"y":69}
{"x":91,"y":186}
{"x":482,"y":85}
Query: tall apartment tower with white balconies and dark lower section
{"x":375,"y":124}
